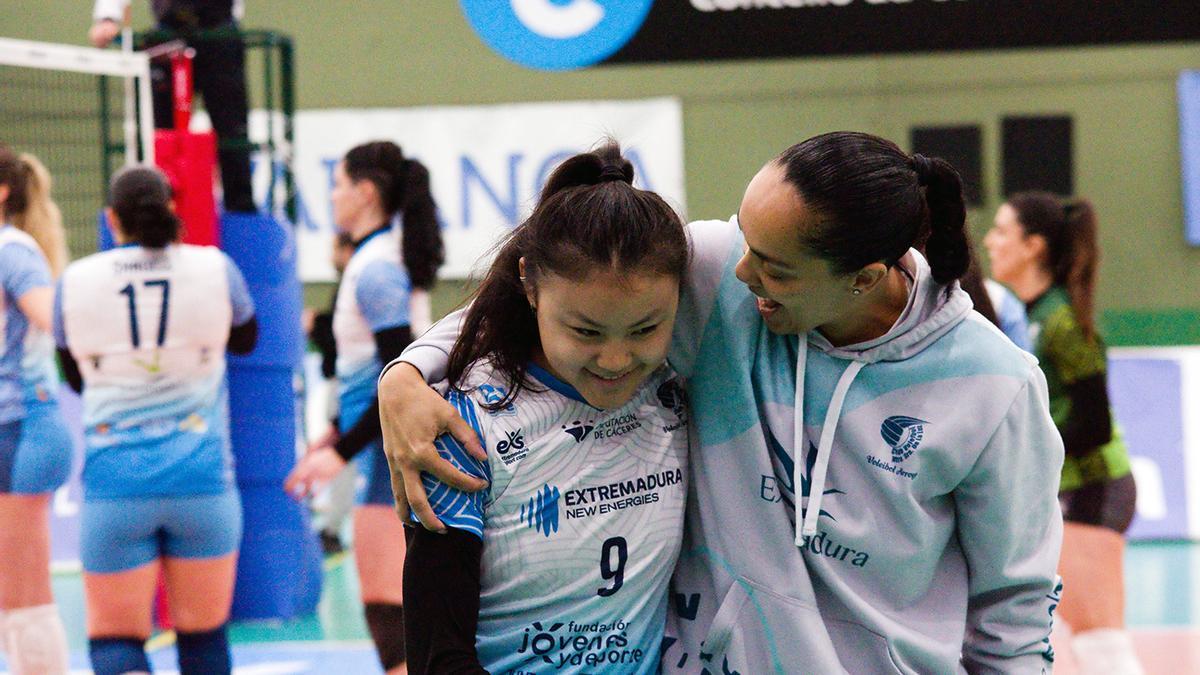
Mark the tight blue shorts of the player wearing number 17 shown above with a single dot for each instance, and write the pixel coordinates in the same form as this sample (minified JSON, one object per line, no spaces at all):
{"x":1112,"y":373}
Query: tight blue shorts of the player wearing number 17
{"x":124,"y":534}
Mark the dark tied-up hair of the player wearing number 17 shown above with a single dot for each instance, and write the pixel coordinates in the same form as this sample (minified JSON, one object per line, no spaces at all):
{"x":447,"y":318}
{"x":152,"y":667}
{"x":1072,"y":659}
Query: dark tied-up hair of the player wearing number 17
{"x":141,"y":196}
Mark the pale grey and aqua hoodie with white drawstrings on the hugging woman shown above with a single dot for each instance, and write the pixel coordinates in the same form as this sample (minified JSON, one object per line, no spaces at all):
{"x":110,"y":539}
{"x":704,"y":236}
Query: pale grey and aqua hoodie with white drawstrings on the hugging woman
{"x":932,"y":535}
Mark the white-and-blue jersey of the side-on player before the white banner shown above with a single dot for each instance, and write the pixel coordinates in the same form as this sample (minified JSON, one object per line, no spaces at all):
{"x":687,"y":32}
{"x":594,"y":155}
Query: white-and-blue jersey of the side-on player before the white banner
{"x":374,"y":296}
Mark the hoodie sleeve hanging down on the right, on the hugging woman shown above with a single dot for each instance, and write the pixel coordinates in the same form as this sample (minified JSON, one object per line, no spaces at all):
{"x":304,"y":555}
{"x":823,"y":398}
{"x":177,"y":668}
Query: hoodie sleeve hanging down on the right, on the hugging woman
{"x":1011,"y":531}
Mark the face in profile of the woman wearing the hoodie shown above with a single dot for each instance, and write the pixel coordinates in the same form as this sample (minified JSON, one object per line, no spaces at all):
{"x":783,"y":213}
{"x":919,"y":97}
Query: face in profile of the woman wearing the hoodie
{"x":797,"y":292}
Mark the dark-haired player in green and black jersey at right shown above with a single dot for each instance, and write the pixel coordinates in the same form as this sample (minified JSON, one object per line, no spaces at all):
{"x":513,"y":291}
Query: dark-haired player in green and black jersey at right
{"x":1047,"y":252}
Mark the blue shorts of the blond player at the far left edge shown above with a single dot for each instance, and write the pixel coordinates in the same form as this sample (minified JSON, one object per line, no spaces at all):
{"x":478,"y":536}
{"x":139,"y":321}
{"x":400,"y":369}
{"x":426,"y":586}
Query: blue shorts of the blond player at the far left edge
{"x":44,"y":455}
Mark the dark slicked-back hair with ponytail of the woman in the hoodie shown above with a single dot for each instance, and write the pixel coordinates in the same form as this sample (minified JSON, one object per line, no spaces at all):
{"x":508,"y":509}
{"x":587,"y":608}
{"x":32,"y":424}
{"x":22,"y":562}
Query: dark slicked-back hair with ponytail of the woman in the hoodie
{"x":875,"y":202}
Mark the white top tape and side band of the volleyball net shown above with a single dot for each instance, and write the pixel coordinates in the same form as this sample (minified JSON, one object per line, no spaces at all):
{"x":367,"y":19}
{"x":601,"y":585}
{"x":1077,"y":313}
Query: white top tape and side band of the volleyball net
{"x":133,"y":67}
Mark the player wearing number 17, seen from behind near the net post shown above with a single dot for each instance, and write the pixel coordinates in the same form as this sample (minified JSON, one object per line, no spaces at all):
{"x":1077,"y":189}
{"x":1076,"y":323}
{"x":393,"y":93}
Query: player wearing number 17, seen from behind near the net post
{"x":143,"y":328}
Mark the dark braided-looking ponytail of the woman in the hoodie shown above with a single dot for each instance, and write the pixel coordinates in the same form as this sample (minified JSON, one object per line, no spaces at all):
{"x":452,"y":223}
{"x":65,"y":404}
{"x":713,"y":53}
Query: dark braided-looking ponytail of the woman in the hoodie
{"x":947,"y":248}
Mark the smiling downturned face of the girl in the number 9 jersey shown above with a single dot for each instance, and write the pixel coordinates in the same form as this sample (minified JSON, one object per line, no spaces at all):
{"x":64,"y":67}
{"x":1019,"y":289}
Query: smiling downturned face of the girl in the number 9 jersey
{"x":605,"y":334}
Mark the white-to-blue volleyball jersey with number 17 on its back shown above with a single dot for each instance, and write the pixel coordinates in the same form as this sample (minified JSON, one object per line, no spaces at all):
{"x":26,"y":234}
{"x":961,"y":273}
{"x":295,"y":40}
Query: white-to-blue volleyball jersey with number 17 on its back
{"x":149,"y":328}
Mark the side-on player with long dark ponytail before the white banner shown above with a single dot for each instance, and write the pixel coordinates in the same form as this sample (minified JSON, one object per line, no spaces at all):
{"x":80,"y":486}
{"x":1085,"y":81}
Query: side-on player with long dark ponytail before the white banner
{"x":373,"y":325}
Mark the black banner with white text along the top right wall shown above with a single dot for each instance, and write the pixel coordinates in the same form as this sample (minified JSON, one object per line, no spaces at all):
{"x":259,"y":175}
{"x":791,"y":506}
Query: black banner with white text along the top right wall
{"x":688,"y":31}
